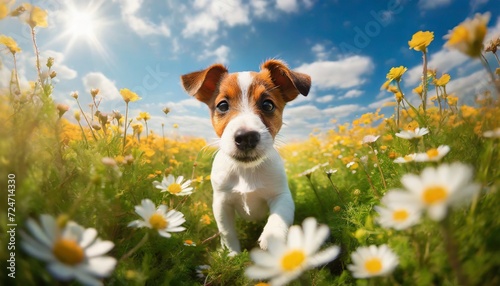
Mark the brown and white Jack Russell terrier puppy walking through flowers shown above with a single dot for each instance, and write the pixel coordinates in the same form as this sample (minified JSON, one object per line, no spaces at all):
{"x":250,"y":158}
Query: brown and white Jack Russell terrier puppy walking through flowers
{"x":248,"y":174}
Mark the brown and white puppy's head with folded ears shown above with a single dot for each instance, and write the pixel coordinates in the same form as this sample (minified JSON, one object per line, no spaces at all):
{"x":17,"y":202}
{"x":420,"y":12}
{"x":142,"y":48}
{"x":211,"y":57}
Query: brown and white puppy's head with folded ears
{"x":247,"y":107}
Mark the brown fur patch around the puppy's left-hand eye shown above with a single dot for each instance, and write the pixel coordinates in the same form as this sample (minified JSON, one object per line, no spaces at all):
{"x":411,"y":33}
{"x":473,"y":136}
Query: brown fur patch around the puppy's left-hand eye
{"x":229,"y":91}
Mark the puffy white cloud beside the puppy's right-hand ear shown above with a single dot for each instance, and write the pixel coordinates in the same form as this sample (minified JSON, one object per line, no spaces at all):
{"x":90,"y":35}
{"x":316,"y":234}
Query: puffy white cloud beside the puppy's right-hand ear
{"x":343,"y":73}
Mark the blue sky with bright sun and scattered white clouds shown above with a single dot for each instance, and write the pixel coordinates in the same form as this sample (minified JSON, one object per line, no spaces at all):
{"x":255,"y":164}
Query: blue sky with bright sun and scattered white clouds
{"x":346,"y":46}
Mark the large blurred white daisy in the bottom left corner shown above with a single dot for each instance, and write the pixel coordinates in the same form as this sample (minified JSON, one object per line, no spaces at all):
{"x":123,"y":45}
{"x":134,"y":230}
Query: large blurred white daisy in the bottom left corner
{"x":72,"y":252}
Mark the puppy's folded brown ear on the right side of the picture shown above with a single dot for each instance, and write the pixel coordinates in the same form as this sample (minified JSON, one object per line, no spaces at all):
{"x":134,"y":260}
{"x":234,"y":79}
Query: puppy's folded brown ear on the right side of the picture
{"x":291,"y":83}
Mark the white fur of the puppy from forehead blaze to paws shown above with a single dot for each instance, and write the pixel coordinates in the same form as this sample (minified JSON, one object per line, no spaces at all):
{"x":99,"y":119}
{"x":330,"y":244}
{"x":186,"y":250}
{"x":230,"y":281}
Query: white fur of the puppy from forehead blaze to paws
{"x":250,"y":189}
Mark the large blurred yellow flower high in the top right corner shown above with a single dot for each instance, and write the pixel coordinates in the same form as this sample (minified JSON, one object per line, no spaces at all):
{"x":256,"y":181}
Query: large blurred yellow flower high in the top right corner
{"x":469,"y":35}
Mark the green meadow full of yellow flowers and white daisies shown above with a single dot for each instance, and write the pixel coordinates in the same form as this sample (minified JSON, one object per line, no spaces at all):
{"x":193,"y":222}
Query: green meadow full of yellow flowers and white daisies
{"x":102,"y":199}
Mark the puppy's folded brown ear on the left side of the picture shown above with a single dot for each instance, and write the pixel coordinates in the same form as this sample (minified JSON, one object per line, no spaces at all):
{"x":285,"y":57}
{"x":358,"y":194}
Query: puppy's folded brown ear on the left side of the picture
{"x":203,"y":84}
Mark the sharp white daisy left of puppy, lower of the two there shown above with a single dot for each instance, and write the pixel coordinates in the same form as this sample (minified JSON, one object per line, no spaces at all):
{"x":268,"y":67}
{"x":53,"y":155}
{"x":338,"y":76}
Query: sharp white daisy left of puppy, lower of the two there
{"x":158,"y":218}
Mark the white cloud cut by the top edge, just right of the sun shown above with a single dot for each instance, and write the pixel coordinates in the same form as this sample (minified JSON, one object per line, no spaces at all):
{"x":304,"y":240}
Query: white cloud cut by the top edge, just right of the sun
{"x":141,"y":26}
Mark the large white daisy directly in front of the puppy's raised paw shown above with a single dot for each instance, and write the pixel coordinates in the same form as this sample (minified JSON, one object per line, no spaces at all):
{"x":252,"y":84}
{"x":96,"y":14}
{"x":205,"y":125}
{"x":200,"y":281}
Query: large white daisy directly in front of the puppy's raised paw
{"x":284,"y":261}
